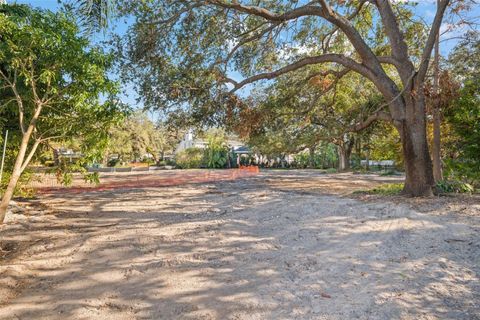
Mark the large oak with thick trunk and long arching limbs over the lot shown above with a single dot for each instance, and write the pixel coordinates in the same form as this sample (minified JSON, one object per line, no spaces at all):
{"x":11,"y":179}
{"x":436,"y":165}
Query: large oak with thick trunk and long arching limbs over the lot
{"x":188,"y":51}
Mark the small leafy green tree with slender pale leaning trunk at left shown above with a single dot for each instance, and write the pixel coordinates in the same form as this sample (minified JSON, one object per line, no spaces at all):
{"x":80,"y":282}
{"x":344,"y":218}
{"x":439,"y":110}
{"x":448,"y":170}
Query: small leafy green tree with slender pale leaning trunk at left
{"x":54,"y":79}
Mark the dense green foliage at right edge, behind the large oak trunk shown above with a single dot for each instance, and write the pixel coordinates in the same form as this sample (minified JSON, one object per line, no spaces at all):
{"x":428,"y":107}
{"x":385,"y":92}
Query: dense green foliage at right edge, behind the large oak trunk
{"x":462,"y":113}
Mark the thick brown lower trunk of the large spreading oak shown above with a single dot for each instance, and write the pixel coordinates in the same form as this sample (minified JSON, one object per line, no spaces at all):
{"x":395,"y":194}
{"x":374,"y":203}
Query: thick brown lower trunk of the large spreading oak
{"x":418,"y":164}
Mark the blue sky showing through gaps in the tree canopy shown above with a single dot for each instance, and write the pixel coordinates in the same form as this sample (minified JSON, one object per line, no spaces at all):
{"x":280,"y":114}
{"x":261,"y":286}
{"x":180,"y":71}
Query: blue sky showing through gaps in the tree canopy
{"x":424,"y":10}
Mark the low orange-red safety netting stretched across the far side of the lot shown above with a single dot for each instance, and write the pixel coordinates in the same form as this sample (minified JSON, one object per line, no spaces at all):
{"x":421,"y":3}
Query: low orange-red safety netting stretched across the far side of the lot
{"x":155,"y":179}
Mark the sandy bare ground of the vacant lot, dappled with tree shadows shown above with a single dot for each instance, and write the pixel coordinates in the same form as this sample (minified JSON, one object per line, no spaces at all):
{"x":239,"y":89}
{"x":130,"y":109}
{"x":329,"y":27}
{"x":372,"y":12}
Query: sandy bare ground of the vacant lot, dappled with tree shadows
{"x":280,"y":245}
